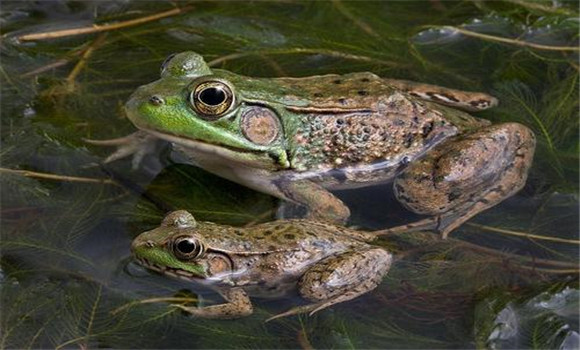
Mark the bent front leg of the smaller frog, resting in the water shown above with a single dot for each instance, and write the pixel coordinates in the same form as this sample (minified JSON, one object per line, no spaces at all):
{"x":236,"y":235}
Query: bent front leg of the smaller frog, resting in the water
{"x":238,"y":305}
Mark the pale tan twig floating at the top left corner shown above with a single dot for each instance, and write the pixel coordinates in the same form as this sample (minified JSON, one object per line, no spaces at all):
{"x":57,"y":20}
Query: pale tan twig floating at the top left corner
{"x":100,"y":28}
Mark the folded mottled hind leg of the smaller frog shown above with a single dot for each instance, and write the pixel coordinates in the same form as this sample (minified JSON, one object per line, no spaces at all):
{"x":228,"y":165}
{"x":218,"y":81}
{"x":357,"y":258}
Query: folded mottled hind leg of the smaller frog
{"x":340,"y":278}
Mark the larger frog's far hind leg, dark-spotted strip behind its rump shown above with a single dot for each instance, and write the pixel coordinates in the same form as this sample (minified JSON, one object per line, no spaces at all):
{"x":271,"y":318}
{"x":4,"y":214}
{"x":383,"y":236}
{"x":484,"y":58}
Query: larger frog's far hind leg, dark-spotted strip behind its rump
{"x":466,"y":100}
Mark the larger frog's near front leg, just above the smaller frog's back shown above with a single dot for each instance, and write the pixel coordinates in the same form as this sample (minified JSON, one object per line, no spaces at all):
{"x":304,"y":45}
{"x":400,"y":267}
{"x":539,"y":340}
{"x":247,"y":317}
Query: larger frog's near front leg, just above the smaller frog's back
{"x":322,"y":205}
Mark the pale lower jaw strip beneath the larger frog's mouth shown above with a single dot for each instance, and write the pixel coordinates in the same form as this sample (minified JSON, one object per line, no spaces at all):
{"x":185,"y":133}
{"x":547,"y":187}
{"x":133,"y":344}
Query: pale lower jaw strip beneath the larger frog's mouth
{"x":255,"y":159}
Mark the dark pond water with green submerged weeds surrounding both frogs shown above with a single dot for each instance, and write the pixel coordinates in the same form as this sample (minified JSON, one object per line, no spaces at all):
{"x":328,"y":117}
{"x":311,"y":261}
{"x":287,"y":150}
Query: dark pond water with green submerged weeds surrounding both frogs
{"x":67,"y":277}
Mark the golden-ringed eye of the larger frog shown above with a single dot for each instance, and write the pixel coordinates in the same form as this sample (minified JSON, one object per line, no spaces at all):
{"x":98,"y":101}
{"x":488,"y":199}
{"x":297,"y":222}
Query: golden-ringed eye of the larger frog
{"x":211,"y":99}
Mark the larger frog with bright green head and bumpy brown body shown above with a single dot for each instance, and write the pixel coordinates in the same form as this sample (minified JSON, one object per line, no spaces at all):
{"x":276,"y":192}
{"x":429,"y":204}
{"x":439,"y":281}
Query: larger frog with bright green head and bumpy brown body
{"x":298,"y":138}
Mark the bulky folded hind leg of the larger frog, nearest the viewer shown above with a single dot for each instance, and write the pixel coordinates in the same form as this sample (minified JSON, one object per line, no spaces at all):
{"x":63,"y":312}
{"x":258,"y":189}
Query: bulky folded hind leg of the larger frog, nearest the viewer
{"x":462,"y":177}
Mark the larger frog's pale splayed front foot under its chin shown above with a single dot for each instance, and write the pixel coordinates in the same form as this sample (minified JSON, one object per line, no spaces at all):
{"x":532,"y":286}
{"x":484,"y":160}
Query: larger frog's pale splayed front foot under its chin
{"x":137,"y":145}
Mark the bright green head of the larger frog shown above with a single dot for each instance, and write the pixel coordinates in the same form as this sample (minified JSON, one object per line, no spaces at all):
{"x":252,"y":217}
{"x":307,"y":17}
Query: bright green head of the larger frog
{"x":207,"y":110}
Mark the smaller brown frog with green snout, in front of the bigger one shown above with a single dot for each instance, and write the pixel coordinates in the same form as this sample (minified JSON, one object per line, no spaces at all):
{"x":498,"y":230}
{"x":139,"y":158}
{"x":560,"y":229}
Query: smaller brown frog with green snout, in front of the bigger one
{"x":325,"y":263}
